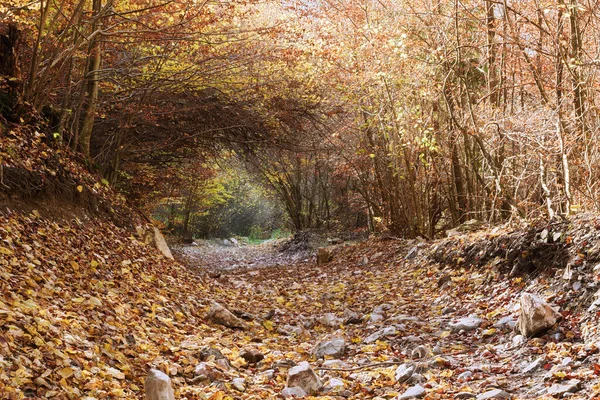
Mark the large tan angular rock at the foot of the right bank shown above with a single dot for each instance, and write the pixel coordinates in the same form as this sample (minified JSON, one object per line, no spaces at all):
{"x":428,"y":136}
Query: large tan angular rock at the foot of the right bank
{"x":536,"y":315}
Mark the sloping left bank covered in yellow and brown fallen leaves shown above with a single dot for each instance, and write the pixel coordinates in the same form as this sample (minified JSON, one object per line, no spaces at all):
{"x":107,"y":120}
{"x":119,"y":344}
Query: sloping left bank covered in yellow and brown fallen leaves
{"x":85,"y":309}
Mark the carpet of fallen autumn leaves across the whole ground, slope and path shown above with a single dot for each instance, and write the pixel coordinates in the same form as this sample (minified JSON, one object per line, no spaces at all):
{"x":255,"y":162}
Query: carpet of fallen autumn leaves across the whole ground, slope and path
{"x":87,"y":309}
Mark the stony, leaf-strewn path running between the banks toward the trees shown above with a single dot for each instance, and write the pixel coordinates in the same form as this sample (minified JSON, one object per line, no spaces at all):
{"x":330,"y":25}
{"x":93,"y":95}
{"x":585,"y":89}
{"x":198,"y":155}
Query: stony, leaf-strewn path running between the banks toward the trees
{"x":453,"y":326}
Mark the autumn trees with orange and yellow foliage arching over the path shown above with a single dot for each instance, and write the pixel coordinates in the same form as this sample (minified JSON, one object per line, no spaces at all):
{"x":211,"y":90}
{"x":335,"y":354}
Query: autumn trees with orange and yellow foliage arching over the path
{"x":410,"y":116}
